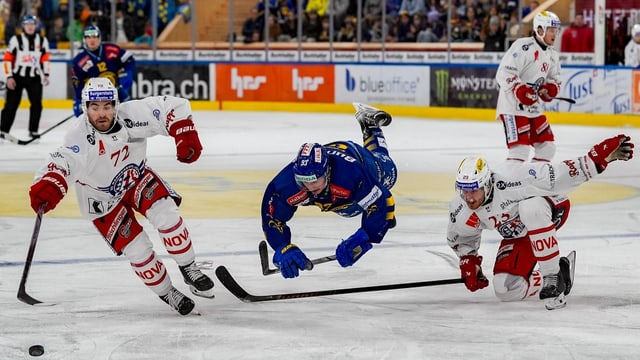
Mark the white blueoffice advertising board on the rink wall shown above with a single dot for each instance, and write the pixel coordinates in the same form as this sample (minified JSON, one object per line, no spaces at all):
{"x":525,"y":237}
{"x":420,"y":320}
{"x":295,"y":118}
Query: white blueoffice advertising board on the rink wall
{"x":396,"y":85}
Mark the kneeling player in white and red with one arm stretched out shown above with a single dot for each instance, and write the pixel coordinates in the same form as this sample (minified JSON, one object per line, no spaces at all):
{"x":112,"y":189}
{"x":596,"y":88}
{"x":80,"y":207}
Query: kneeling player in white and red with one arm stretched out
{"x":520,"y":201}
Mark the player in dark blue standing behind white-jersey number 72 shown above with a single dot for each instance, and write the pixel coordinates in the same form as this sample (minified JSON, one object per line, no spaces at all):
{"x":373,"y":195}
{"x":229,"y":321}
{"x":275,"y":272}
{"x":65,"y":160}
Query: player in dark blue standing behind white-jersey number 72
{"x":99,"y":59}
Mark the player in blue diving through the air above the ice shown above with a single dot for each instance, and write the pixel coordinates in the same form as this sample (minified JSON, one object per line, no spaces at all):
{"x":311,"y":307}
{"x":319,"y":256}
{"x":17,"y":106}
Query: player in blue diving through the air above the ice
{"x":342,"y":177}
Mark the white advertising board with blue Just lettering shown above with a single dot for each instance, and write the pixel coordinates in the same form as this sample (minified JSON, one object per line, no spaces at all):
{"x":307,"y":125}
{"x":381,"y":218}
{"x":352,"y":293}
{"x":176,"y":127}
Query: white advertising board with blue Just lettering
{"x":598,"y":91}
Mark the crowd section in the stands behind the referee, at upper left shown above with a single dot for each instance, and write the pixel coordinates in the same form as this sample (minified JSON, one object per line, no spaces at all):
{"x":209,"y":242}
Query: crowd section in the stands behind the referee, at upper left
{"x":132,"y":20}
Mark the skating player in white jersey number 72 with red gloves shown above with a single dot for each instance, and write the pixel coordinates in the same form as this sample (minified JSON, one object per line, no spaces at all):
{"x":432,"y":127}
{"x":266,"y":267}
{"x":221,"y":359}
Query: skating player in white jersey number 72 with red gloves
{"x":104,"y":156}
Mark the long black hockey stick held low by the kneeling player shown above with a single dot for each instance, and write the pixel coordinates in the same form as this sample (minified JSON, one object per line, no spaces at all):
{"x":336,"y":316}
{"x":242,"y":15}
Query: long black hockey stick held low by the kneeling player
{"x":232,"y":285}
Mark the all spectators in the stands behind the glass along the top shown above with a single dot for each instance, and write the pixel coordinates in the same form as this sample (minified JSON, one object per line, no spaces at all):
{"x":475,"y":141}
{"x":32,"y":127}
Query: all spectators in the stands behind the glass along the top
{"x":402,"y":21}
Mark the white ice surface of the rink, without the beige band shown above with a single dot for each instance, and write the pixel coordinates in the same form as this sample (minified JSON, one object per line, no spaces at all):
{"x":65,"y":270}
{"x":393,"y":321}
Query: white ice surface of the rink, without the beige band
{"x":102,"y":311}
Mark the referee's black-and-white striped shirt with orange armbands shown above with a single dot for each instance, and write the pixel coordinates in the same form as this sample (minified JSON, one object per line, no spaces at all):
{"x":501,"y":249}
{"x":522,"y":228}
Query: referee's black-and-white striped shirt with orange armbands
{"x":27,"y":56}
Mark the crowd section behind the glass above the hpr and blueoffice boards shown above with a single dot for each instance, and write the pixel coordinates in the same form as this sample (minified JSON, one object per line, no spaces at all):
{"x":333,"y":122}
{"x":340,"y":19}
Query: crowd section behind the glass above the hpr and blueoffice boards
{"x":403,"y":21}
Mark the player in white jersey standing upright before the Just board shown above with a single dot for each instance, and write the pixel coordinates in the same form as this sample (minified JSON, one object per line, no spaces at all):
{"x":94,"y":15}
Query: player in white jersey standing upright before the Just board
{"x":529,"y":72}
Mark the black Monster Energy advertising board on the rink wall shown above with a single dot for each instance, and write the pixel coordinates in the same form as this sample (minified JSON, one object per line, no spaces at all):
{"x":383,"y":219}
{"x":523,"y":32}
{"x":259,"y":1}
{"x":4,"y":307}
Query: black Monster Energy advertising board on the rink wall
{"x":468,"y":87}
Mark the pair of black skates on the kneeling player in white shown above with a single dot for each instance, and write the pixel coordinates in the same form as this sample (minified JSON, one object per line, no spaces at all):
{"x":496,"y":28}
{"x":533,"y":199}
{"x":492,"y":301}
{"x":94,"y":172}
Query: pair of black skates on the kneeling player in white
{"x":556,"y":287}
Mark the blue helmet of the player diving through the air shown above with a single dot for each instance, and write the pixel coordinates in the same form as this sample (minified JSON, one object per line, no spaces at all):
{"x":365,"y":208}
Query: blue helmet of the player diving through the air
{"x":311,"y":163}
